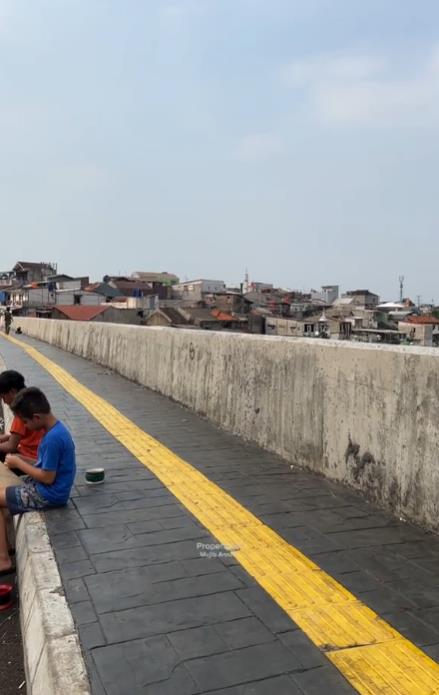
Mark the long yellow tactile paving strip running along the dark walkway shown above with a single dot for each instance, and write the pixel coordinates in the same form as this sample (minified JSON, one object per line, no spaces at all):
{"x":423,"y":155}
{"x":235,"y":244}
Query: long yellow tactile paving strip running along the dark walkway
{"x":372,"y":656}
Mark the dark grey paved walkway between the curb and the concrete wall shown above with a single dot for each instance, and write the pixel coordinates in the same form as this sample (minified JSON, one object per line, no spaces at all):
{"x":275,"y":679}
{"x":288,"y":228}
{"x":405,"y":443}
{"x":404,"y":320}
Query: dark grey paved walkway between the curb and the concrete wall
{"x":156,"y":615}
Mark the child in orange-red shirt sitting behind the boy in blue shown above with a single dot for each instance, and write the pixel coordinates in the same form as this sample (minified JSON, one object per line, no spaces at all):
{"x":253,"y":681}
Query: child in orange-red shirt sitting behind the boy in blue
{"x":20,"y":440}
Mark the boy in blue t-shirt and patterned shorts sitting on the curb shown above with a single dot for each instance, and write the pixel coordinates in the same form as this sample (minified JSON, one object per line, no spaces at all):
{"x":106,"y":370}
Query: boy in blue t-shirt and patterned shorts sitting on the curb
{"x":47,"y":483}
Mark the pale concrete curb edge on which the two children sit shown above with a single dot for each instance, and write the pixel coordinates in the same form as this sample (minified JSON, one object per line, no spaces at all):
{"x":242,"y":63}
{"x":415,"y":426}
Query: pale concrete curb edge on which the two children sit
{"x":53,"y":659}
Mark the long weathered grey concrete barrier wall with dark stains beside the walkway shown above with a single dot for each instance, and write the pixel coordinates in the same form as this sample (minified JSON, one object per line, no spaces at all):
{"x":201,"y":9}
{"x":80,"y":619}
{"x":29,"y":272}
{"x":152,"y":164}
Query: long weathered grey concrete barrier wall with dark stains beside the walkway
{"x":363,"y":414}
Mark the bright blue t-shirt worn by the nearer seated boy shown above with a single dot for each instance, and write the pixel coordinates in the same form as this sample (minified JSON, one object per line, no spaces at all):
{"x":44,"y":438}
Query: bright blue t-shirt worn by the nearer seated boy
{"x":57,"y":453}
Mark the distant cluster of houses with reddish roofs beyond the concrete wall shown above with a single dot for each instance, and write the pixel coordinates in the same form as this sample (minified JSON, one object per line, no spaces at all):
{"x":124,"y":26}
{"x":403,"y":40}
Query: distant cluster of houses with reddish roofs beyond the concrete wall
{"x":160,"y":299}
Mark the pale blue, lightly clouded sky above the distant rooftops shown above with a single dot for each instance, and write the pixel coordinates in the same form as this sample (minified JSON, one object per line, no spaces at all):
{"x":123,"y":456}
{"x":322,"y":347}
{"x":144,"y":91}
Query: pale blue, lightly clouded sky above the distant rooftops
{"x":298,"y":139}
